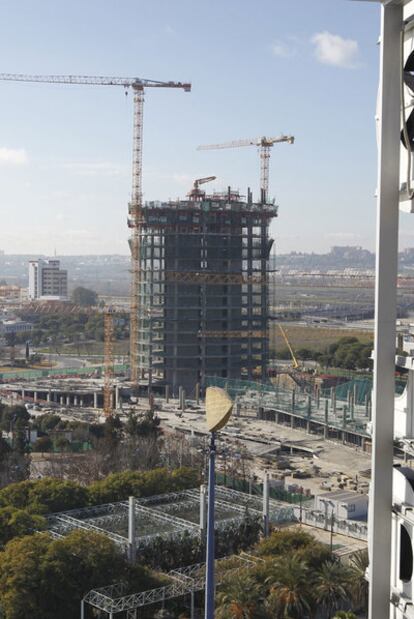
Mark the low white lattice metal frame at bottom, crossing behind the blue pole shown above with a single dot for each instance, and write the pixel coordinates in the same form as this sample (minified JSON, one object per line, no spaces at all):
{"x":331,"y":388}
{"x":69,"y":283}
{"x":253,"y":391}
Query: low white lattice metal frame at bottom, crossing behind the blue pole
{"x":183,"y":581}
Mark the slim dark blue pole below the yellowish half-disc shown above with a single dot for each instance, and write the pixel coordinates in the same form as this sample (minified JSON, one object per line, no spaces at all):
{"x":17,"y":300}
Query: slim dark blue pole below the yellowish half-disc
{"x":210,"y":584}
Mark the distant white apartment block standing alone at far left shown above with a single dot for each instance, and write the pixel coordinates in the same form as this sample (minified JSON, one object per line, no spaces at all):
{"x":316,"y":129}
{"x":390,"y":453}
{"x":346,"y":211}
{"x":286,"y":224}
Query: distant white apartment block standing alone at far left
{"x":47,"y":281}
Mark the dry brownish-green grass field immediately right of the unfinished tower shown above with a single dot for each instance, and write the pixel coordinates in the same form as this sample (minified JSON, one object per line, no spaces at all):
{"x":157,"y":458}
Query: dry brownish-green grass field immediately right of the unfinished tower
{"x":315,"y":338}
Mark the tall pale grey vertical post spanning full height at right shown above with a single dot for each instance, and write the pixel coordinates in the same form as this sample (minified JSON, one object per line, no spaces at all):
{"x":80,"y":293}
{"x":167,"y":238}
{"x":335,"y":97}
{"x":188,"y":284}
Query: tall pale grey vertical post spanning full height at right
{"x":389,"y":110}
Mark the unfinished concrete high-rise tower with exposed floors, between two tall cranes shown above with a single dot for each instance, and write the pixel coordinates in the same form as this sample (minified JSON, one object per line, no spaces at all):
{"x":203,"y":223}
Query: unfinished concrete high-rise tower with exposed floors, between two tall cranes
{"x":203,"y":301}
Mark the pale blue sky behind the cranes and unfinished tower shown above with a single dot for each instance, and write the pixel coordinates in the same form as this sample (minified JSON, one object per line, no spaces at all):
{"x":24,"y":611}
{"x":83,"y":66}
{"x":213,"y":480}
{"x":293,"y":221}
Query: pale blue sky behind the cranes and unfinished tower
{"x":303,"y":67}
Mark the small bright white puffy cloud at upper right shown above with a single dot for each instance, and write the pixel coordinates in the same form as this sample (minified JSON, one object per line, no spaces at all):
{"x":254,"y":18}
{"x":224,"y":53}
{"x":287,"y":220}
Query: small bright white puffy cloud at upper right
{"x":336,"y":51}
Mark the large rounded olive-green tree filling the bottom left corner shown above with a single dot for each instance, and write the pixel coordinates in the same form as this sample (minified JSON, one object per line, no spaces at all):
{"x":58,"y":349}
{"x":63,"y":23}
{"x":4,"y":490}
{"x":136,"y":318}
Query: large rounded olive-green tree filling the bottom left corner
{"x":42,"y":578}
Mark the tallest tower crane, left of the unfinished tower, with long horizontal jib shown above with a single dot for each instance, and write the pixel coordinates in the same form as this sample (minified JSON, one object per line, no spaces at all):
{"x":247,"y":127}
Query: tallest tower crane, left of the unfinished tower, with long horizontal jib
{"x":138,"y":86}
